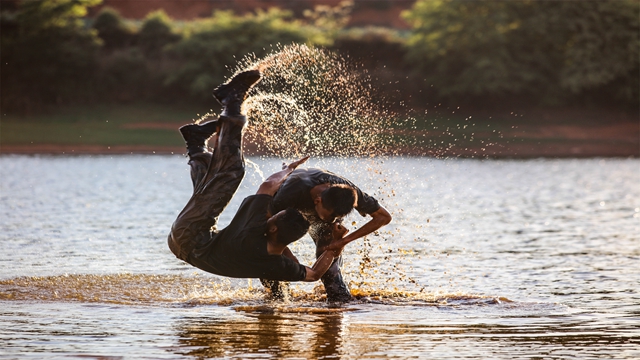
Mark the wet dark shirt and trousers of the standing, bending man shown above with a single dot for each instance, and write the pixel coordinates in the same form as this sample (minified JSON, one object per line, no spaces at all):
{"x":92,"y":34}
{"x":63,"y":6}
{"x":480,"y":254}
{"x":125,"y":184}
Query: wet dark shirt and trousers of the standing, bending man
{"x":296,"y":192}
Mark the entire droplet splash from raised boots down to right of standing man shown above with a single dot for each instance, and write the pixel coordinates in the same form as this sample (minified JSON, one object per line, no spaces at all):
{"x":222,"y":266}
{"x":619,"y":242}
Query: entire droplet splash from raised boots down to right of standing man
{"x":313,"y":102}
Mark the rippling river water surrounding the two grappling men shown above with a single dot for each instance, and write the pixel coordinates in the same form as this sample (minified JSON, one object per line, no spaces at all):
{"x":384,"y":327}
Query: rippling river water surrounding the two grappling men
{"x":484,"y":259}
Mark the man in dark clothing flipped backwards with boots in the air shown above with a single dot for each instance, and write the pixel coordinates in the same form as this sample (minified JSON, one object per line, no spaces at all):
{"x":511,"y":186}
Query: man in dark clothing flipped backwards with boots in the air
{"x":254,"y":245}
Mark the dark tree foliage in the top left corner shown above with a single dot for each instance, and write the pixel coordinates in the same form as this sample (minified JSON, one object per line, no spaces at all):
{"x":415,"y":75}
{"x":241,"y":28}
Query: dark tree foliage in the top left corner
{"x":49,"y":57}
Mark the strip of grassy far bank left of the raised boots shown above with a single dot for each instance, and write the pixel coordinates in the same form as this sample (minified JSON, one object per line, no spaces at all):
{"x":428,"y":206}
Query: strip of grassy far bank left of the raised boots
{"x":130,"y":126}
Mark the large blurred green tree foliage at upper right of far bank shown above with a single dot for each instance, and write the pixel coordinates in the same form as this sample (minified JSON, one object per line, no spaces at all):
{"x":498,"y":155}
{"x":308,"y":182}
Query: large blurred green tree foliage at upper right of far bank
{"x":545,"y":50}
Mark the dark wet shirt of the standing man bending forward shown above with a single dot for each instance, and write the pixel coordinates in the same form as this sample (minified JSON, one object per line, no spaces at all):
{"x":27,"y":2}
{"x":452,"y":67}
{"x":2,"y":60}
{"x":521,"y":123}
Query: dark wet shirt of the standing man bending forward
{"x":295,"y":192}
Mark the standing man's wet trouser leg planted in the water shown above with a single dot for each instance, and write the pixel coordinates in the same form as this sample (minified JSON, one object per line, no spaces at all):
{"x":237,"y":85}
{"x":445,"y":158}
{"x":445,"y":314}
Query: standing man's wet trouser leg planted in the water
{"x":334,"y":284}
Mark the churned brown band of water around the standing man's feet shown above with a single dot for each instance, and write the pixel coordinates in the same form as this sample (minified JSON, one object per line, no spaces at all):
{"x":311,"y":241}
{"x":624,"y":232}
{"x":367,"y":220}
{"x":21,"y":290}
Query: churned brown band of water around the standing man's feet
{"x":172,"y":290}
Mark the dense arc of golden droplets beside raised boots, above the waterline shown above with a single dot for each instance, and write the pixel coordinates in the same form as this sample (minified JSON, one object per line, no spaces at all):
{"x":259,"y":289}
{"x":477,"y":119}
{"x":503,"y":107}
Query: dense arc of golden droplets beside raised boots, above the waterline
{"x":311,"y":102}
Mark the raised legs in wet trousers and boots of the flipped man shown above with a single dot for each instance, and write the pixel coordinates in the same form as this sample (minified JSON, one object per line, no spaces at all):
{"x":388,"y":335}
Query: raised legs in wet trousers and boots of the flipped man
{"x":215,"y":176}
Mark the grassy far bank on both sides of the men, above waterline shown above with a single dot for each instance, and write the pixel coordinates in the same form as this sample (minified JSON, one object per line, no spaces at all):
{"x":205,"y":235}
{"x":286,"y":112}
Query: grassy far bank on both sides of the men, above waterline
{"x":146,"y":128}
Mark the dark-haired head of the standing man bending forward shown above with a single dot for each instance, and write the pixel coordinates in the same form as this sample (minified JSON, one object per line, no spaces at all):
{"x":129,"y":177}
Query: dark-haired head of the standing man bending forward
{"x":335,"y":202}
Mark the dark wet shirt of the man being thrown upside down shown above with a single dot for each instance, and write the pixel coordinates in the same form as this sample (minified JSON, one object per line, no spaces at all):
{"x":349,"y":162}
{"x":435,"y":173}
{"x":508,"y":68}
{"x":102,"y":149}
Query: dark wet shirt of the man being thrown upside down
{"x":240,"y":249}
